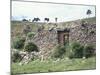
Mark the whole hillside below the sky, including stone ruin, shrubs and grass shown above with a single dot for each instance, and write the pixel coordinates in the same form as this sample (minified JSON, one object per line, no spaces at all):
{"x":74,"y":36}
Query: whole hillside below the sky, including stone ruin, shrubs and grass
{"x":61,"y":46}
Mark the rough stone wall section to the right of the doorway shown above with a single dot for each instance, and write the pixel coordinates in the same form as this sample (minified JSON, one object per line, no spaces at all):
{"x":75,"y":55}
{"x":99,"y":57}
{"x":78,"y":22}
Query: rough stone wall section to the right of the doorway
{"x":84,"y":35}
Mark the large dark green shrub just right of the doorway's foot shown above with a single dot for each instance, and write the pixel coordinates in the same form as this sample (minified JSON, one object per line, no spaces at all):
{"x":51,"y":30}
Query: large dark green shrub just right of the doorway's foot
{"x":76,"y":50}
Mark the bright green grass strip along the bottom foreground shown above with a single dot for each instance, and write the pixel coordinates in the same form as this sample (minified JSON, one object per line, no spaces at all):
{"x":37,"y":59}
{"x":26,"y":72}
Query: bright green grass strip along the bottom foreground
{"x":50,"y":66}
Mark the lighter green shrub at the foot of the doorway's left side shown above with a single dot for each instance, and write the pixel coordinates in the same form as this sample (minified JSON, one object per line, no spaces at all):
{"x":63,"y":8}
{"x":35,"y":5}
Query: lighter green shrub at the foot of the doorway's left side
{"x":59,"y":52}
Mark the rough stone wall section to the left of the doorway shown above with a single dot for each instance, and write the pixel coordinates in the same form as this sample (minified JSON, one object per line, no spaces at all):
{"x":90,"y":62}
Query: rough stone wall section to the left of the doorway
{"x":46,"y":41}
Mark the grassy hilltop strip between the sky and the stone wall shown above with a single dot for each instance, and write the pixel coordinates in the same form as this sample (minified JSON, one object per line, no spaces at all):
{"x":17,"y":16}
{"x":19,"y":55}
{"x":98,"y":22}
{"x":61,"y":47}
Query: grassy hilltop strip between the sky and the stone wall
{"x":17,"y":26}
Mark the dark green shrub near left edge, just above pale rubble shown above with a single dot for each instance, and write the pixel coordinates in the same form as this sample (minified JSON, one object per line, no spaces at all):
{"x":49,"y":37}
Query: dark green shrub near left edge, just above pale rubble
{"x":19,"y":43}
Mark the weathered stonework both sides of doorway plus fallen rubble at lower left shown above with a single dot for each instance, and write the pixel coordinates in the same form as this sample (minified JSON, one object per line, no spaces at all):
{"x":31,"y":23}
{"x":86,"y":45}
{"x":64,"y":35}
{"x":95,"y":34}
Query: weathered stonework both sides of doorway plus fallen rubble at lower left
{"x":46,"y":40}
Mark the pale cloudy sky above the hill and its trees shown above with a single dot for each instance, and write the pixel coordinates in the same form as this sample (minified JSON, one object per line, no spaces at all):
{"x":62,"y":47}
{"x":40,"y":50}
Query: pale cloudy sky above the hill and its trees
{"x":66,"y":12}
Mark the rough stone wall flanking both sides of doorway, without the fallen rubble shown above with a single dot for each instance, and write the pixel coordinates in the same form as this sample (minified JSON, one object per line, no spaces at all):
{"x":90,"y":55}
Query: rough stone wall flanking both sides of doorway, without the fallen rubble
{"x":46,"y":40}
